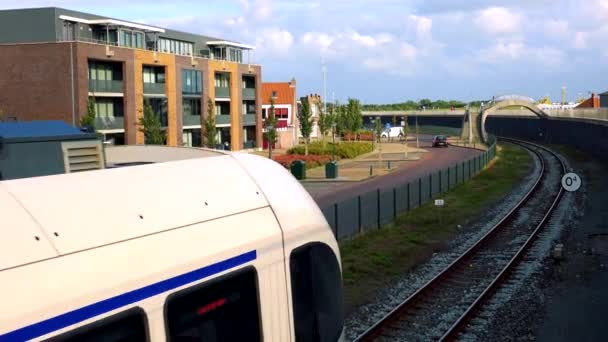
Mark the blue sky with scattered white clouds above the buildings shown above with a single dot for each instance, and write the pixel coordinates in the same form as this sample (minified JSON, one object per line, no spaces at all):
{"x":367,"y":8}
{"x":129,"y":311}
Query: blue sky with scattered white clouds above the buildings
{"x":385,"y":51}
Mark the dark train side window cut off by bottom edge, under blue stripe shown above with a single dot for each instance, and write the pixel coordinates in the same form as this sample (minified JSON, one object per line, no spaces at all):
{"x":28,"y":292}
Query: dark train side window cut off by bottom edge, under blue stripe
{"x":126,"y":326}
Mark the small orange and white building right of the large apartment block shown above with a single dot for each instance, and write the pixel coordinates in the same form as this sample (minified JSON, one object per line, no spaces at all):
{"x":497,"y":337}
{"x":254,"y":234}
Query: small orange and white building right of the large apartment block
{"x":283,"y":94}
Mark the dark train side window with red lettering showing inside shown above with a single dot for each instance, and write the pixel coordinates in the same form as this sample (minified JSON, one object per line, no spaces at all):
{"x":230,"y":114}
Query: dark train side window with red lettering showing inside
{"x":225,"y":309}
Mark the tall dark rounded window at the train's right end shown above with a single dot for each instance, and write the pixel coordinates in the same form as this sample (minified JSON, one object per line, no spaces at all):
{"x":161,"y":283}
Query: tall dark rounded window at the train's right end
{"x":316,"y":287}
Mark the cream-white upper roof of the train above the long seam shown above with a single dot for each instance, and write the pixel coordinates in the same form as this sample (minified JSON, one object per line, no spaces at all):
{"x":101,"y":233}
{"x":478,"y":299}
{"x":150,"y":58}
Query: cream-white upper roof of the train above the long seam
{"x":46,"y":217}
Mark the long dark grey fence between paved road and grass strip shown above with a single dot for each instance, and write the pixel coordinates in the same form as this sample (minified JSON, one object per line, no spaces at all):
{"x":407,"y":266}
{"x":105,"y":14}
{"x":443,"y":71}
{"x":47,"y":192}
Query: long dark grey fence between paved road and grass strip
{"x":371,"y":210}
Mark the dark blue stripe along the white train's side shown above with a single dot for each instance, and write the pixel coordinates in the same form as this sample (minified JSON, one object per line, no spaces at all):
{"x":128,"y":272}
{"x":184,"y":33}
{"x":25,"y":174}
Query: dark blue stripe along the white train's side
{"x":95,"y":309}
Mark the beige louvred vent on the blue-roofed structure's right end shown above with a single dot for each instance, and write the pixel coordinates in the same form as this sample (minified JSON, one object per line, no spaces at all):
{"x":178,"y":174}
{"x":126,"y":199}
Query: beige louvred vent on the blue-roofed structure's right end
{"x":82,"y":156}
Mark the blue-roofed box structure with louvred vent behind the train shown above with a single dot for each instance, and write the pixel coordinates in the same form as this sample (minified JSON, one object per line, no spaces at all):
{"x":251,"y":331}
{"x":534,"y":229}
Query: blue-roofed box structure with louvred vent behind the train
{"x":41,"y":148}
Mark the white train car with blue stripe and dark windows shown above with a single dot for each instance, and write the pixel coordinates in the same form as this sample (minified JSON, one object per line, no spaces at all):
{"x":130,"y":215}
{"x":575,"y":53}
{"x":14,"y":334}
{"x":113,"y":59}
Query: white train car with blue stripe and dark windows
{"x":228,"y":247}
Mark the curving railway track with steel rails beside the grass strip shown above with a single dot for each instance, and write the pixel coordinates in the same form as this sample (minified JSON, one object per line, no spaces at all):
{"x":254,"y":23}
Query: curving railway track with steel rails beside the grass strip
{"x":441,"y":309}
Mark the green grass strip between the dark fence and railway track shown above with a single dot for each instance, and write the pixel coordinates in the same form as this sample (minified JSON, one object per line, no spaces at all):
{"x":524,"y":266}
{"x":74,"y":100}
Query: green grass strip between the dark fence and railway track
{"x":372,"y":260}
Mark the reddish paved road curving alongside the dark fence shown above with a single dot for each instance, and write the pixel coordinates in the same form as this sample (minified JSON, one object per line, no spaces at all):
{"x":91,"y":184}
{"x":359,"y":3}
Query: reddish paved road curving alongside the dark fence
{"x":327,"y":193}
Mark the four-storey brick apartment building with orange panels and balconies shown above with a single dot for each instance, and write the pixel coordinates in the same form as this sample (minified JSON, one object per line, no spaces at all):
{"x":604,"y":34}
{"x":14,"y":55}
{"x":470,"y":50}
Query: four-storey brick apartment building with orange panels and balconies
{"x":54,"y":61}
